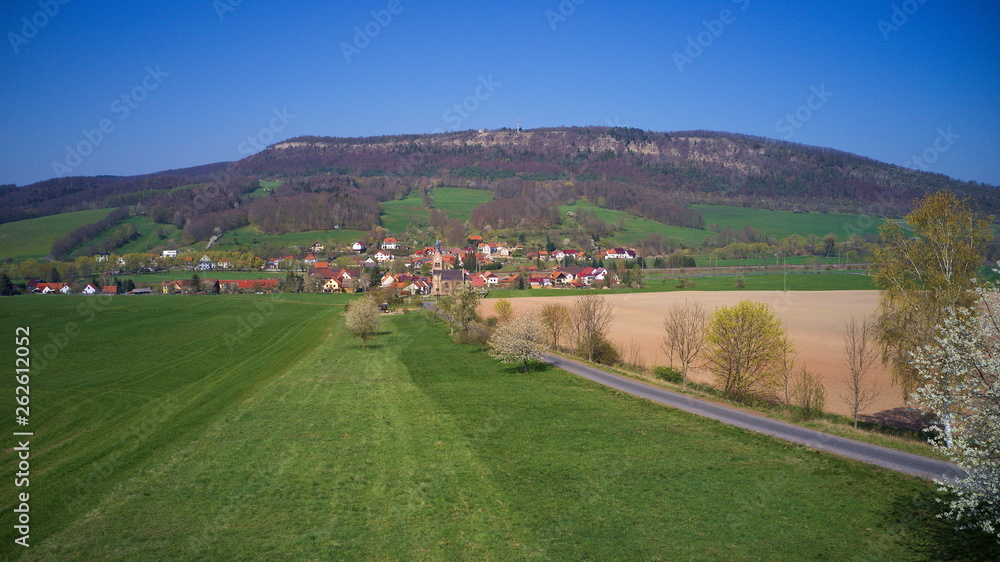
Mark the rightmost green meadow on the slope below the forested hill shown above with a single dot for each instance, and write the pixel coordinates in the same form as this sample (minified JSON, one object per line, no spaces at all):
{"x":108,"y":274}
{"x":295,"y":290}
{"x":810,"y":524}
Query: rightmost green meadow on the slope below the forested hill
{"x":785,"y":223}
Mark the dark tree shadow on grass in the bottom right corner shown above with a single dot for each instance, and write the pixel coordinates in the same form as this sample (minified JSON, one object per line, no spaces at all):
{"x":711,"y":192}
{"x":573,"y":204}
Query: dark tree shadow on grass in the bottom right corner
{"x":915,"y":519}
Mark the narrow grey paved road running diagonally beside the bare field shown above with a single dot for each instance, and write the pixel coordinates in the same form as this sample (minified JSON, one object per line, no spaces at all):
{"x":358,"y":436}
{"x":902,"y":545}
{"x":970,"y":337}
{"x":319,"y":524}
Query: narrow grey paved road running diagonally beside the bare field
{"x":907,"y":463}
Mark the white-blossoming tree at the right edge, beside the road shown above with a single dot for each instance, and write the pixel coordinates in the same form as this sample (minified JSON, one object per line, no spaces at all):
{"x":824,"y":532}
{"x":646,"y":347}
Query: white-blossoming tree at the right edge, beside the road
{"x":961,"y":388}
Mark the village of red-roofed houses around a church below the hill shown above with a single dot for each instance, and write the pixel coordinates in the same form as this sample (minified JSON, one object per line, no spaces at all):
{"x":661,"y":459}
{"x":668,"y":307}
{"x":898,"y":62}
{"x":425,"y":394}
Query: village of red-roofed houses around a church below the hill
{"x":401,"y":271}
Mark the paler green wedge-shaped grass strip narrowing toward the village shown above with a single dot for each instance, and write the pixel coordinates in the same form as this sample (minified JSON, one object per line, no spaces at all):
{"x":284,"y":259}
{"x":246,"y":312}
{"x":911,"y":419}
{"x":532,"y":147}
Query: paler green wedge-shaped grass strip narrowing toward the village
{"x":339,"y":456}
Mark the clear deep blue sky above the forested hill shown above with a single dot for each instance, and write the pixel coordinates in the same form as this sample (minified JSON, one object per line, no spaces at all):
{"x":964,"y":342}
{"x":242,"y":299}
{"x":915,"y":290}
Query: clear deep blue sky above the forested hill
{"x":220,"y":77}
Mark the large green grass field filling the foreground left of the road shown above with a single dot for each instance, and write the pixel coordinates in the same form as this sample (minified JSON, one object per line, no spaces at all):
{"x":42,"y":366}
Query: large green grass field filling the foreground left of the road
{"x":297,"y":443}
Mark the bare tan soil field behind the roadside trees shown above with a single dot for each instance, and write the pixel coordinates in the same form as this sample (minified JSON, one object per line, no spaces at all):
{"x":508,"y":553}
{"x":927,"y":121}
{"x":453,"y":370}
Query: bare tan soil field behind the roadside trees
{"x":814,"y":320}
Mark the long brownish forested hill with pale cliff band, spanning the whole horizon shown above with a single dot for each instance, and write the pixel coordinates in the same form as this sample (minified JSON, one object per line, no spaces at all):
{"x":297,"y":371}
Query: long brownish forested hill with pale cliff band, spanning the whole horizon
{"x":340,"y":182}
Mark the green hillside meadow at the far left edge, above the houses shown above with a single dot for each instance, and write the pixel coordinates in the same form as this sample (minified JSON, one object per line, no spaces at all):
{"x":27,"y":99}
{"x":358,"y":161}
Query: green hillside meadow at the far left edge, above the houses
{"x":33,"y":238}
